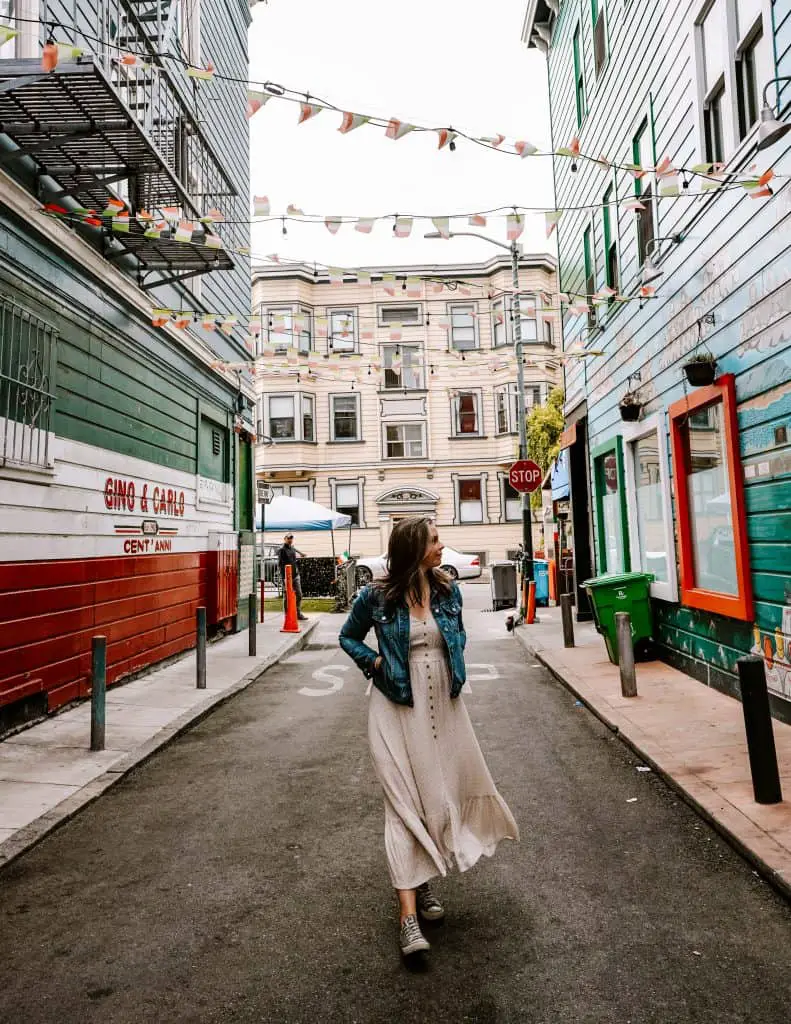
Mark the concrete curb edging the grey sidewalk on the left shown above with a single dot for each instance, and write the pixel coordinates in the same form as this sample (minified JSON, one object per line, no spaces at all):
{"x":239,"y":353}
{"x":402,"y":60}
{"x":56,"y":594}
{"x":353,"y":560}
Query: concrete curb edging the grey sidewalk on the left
{"x":32,"y":834}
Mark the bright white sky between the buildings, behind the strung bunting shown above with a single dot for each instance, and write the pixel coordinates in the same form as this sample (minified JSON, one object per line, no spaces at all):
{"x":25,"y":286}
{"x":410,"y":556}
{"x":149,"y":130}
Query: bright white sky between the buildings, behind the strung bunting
{"x":431,"y":62}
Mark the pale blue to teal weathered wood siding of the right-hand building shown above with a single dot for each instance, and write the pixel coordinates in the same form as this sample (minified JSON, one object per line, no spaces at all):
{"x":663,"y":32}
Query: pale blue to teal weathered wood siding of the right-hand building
{"x":734,"y":263}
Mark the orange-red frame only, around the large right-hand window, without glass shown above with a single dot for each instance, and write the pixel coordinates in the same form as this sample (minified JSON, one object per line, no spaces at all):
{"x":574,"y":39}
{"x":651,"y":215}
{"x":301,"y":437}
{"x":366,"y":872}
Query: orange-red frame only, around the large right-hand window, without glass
{"x":734,"y":606}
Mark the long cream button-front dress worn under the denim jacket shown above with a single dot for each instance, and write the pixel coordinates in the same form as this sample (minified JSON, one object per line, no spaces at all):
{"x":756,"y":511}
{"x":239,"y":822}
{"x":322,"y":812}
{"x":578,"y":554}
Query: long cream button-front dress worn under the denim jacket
{"x":441,"y":806}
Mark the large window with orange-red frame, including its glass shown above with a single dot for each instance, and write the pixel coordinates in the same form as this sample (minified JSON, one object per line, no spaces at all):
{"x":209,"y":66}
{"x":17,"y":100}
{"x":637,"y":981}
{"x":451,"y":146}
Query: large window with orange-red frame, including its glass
{"x":710,"y":497}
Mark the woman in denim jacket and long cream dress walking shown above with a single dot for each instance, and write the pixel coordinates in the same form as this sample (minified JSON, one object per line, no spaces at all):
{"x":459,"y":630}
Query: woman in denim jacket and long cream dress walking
{"x":441,"y":806}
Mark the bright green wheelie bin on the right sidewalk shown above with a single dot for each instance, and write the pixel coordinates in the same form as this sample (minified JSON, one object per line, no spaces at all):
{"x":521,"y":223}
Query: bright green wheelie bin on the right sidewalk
{"x":623,"y":592}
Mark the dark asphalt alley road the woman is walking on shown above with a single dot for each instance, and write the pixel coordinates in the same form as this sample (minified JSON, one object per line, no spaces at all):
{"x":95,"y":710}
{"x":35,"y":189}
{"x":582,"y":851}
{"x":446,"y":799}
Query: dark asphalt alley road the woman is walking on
{"x":239,"y":876}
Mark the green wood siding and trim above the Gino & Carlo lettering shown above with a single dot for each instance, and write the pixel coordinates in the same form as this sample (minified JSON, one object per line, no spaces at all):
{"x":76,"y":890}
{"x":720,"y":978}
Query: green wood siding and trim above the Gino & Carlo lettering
{"x":120,"y":383}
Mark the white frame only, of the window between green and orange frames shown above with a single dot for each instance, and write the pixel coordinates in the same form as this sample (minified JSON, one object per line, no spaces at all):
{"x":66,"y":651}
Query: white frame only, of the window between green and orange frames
{"x":633,"y":433}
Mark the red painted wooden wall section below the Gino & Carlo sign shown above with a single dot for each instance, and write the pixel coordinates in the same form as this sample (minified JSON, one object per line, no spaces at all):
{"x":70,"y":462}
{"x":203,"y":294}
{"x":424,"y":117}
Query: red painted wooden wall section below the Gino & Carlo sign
{"x":50,"y":612}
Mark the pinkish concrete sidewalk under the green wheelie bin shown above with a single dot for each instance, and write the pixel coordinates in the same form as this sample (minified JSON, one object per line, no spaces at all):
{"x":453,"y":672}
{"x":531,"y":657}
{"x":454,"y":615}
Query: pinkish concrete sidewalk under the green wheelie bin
{"x":691,"y":735}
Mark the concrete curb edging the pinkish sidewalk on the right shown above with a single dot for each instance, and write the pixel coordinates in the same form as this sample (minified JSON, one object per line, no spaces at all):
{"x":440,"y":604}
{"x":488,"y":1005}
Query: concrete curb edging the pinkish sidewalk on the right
{"x":777,"y":880}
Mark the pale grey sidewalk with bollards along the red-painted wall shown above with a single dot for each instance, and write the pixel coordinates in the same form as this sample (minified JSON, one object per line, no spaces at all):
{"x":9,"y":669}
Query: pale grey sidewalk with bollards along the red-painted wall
{"x":49,"y":772}
